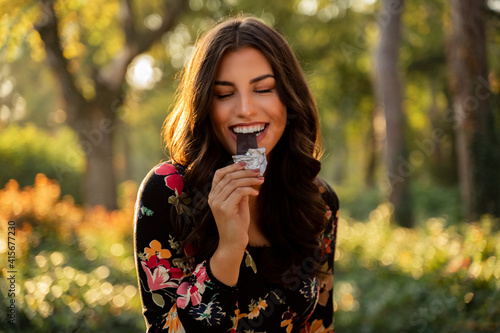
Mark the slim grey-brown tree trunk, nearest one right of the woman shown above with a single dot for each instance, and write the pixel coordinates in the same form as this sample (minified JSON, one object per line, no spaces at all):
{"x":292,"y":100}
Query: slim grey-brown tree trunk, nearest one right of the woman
{"x":388,"y":90}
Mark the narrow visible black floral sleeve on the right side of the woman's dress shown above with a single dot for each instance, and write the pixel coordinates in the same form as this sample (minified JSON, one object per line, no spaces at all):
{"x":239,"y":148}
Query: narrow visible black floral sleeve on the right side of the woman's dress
{"x":321,"y":320}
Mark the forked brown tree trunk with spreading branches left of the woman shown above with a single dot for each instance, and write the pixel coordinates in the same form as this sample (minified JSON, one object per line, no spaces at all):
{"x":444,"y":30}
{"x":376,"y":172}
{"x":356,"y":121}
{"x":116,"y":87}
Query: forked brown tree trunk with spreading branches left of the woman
{"x":94,"y":120}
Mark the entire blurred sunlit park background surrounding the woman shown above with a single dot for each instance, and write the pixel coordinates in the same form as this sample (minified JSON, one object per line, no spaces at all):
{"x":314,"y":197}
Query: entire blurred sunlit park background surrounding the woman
{"x":408,"y":95}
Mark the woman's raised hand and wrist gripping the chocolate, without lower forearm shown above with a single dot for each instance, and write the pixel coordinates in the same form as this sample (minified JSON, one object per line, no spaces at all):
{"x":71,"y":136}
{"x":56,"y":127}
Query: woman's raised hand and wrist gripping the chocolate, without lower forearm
{"x":229,"y":201}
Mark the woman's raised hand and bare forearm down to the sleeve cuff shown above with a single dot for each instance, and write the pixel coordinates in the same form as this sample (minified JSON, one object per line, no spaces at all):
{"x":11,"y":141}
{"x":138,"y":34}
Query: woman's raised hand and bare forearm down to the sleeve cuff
{"x":229,"y":202}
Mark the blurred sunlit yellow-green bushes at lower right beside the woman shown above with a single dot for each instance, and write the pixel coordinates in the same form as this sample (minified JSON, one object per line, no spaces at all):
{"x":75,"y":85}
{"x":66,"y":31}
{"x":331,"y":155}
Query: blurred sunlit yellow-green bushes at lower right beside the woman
{"x":431,"y":279}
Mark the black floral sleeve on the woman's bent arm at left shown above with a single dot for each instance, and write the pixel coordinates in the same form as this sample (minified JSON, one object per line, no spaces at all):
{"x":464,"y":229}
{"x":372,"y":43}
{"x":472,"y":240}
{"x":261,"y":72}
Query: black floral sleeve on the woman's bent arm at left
{"x":176,"y":295}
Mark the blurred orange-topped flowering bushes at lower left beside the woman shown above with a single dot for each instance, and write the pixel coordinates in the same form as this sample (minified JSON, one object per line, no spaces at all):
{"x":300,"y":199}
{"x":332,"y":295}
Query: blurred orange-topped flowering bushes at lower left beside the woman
{"x":75,"y":267}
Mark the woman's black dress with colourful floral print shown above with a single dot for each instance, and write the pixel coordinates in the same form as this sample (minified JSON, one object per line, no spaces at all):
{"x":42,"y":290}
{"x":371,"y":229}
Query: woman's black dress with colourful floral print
{"x":183,"y":296}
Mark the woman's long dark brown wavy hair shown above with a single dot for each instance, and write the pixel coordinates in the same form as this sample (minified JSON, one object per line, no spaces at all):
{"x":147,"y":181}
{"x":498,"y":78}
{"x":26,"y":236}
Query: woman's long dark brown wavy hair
{"x":291,"y":210}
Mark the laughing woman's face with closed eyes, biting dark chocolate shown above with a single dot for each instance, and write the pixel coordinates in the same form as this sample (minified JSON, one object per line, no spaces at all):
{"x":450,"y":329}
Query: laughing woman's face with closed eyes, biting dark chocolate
{"x":245,"y":100}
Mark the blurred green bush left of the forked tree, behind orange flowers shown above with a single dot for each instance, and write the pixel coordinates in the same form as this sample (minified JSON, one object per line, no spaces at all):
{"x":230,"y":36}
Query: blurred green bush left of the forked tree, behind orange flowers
{"x":28,"y":150}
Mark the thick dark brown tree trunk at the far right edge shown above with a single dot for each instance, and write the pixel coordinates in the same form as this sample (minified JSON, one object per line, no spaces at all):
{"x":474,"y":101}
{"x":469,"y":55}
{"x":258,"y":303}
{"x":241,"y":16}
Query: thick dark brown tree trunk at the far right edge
{"x":477,"y":142}
